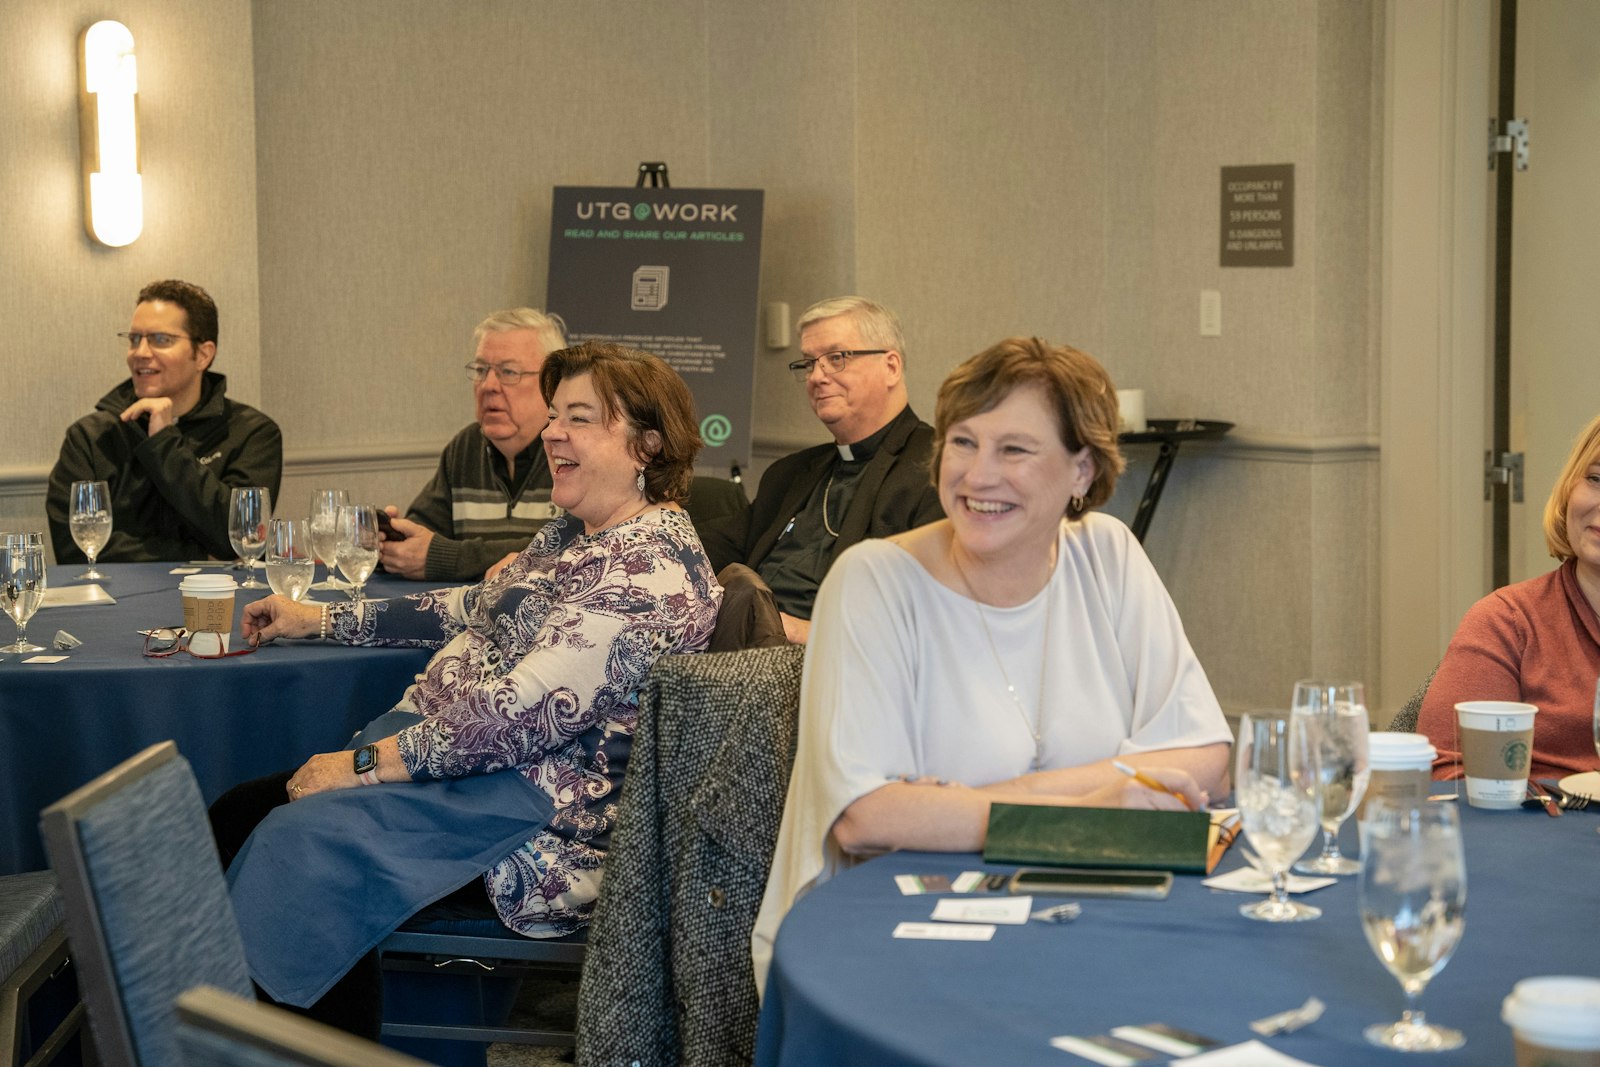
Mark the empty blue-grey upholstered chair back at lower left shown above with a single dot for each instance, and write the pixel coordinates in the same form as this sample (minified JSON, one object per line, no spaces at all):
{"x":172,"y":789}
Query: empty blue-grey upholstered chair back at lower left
{"x":148,"y":909}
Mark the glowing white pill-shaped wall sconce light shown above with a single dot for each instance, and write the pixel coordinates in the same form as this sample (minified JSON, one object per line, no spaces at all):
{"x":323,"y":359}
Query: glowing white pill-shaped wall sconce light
{"x":110,"y":130}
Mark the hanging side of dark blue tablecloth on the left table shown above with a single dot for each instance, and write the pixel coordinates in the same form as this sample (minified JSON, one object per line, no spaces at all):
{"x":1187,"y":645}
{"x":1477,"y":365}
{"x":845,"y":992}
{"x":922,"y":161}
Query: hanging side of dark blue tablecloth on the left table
{"x":234,"y":719}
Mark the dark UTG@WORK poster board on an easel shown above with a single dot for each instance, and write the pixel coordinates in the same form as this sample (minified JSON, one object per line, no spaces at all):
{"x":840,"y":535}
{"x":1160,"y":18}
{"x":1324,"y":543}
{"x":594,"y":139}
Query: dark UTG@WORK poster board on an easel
{"x":674,"y":273}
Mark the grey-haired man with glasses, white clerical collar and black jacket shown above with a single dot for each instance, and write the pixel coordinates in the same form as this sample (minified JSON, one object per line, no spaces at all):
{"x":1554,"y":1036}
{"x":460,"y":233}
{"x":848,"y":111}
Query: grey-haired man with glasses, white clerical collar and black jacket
{"x":871,"y":482}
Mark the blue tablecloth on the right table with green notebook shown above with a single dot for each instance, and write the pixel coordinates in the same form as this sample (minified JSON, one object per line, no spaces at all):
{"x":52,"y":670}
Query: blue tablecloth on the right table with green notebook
{"x":842,"y":991}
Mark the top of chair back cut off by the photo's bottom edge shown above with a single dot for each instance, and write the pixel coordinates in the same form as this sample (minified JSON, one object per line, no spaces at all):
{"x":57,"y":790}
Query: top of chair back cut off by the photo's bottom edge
{"x":218,"y":1029}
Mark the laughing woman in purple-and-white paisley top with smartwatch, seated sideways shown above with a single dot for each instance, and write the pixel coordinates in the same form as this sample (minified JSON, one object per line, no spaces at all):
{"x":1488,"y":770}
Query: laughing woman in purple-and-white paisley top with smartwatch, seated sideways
{"x":529,"y":706}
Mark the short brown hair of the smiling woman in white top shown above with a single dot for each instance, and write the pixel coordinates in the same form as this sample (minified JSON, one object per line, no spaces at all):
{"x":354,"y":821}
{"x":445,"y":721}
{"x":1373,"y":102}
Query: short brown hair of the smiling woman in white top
{"x":1076,"y":386}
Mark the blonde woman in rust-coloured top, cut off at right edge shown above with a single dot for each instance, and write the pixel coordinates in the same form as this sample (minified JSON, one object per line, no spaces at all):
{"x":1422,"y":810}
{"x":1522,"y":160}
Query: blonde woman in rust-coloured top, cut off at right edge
{"x":1538,"y":641}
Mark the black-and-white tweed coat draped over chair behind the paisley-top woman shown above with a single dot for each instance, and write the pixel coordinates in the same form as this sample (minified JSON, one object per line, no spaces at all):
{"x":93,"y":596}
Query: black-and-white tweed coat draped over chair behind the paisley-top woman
{"x":668,"y":980}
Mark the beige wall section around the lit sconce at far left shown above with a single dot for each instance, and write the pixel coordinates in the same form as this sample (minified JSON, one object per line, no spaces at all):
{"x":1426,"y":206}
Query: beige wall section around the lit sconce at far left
{"x":70,"y":297}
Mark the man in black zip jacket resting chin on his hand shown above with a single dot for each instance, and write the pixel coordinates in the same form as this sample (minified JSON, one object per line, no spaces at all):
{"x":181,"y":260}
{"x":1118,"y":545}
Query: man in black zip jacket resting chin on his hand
{"x":169,"y":441}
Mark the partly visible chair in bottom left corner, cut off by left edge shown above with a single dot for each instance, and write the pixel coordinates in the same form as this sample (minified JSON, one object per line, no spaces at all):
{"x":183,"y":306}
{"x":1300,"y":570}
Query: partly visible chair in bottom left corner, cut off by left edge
{"x":33,"y":954}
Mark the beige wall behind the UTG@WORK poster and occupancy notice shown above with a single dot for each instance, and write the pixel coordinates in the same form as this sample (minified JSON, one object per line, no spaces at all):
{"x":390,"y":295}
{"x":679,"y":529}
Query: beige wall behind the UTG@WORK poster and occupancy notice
{"x":1031,"y":167}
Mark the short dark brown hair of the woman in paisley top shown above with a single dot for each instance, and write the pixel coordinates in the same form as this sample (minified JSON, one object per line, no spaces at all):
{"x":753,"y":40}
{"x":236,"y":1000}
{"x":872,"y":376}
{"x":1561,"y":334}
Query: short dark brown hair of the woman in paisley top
{"x":649,"y":396}
